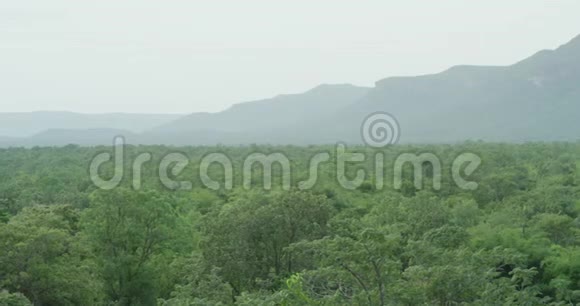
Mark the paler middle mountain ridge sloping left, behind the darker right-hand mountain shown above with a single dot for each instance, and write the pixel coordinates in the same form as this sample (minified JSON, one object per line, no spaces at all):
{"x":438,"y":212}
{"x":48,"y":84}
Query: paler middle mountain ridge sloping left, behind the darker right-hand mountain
{"x":258,"y":121}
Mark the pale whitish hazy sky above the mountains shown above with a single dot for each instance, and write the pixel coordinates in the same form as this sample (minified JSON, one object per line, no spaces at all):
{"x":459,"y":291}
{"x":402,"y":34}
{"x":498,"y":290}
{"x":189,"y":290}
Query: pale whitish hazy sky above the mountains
{"x":187,"y":56}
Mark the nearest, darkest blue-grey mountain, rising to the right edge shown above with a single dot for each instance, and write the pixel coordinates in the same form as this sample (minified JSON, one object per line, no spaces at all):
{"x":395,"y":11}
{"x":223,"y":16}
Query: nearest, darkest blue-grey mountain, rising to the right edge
{"x":535,"y":99}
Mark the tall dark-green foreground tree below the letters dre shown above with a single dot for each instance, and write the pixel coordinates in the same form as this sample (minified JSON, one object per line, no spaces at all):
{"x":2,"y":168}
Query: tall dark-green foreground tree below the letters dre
{"x":127,"y":229}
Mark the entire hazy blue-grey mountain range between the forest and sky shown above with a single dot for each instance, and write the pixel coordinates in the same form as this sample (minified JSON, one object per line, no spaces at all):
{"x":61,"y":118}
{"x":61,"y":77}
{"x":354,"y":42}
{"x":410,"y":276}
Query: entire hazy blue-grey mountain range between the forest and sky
{"x":536,"y":99}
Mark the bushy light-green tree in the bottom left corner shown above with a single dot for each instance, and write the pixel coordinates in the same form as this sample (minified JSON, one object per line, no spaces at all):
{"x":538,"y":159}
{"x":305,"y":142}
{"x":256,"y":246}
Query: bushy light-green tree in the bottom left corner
{"x":43,"y":258}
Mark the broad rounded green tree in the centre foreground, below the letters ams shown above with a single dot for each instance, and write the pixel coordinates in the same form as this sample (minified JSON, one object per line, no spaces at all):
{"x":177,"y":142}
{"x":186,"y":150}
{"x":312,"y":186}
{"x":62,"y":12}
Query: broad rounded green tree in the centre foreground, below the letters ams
{"x":247,"y":238}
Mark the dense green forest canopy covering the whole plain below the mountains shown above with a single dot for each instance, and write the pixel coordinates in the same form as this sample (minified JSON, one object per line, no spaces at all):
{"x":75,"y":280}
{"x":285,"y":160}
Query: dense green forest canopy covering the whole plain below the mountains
{"x":515,"y":240}
